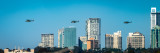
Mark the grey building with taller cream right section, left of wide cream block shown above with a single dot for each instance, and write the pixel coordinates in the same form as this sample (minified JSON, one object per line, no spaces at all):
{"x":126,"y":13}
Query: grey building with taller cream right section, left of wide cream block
{"x":113,"y":41}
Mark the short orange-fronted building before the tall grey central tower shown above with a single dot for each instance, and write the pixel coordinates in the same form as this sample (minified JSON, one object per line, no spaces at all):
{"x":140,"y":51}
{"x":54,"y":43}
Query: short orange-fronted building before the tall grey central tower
{"x":92,"y":44}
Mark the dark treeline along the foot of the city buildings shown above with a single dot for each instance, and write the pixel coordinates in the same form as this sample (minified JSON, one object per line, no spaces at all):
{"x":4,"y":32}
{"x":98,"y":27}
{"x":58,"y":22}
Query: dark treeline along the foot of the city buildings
{"x":97,"y":50}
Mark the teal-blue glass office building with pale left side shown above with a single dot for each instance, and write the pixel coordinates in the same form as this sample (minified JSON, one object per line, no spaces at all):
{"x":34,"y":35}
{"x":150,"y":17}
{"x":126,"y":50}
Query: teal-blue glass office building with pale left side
{"x":67,"y":37}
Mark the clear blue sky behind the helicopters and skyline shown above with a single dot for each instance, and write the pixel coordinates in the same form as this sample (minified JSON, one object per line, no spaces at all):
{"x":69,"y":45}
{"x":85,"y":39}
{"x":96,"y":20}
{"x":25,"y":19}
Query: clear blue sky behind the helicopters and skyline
{"x":51,"y":15}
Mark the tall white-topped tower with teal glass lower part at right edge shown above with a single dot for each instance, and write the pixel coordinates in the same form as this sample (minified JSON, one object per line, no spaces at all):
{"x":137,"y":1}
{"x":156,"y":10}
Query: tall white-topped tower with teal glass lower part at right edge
{"x":155,"y":23}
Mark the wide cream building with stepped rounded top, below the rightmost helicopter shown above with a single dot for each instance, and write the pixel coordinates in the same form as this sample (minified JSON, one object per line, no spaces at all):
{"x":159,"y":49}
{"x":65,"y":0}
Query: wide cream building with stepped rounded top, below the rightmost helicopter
{"x":136,"y":40}
